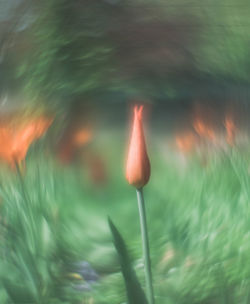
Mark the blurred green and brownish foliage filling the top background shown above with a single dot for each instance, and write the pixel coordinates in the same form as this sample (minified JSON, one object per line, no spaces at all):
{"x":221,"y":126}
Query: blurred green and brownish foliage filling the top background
{"x":116,"y":49}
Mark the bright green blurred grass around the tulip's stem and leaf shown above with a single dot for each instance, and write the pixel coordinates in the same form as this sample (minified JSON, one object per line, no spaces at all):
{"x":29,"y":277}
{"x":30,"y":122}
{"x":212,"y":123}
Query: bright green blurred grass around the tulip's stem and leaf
{"x":198,"y":221}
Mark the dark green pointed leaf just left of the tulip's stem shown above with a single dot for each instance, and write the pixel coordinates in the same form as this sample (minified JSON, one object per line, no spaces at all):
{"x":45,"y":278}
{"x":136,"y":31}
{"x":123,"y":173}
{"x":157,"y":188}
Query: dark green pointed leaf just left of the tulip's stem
{"x":134,"y":290}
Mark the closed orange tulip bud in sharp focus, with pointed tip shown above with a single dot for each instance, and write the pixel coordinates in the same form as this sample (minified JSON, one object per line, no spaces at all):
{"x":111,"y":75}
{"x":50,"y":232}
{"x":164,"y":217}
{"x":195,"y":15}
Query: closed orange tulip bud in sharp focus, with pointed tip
{"x":138,"y":165}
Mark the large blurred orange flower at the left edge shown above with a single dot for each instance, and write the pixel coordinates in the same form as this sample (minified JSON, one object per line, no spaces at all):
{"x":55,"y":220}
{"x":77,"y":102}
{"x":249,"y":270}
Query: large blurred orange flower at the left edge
{"x":16,"y":139}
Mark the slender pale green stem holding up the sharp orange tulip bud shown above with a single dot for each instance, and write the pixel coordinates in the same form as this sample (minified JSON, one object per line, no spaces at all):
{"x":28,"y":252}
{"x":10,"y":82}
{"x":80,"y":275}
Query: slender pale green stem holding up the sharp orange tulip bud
{"x":145,"y":246}
